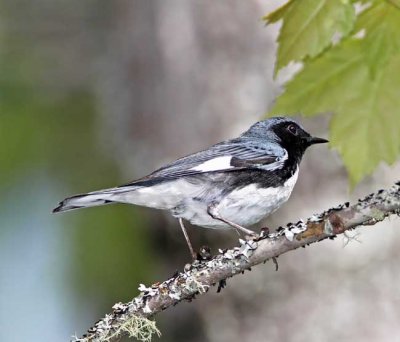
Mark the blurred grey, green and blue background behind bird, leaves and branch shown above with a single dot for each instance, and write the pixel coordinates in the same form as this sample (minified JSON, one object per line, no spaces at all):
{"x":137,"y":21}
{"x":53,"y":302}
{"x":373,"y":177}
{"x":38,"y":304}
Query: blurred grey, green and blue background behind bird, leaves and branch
{"x":97,"y":93}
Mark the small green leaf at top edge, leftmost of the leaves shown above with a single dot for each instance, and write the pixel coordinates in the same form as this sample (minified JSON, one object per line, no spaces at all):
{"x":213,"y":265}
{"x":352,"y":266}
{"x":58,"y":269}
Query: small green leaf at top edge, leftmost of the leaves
{"x":309,"y":26}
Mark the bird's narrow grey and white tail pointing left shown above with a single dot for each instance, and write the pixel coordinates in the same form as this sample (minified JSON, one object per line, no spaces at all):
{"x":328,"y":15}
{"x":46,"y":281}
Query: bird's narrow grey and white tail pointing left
{"x":90,"y":199}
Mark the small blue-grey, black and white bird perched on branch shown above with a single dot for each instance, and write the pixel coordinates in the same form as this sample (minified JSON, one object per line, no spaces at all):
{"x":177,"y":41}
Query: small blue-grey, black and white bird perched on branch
{"x":233,"y":184}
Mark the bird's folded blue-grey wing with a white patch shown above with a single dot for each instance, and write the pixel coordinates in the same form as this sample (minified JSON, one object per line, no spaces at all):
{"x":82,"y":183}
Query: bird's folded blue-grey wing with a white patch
{"x":232,"y":155}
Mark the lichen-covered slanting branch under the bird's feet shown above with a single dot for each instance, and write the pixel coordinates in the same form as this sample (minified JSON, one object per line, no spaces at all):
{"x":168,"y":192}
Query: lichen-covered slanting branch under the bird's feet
{"x":132,"y":318}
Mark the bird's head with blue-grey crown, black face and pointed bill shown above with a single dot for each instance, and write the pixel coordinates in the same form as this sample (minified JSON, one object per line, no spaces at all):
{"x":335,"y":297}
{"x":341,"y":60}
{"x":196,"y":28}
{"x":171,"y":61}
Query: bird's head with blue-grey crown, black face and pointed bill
{"x":284,"y":131}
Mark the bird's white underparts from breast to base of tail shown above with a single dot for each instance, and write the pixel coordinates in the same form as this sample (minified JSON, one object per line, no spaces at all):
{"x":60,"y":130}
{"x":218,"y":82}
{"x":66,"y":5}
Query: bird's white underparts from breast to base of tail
{"x":245,"y":206}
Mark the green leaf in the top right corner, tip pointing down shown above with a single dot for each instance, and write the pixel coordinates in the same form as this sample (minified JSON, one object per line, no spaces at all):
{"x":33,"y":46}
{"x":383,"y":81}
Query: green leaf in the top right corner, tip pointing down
{"x":381,"y":23}
